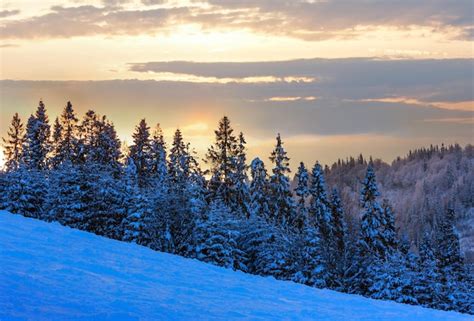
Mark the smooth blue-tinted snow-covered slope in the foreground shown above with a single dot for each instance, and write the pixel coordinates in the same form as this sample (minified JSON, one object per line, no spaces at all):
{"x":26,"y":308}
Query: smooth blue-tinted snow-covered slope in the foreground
{"x":50,"y":272}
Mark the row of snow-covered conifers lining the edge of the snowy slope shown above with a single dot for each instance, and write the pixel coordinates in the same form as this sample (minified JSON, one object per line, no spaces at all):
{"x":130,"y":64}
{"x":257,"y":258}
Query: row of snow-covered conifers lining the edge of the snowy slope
{"x":158,"y":196}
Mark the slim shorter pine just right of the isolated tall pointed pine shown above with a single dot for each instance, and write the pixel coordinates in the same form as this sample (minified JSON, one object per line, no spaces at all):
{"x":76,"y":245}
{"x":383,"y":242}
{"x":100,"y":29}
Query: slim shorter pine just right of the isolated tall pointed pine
{"x":302,"y":192}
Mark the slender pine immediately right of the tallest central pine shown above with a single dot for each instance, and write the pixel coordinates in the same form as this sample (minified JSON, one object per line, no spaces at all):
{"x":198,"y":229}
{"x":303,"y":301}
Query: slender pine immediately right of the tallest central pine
{"x":240,"y":189}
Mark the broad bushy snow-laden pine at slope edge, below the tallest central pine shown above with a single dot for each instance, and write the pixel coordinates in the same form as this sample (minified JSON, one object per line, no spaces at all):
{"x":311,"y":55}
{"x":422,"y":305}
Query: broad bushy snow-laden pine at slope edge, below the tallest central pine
{"x":217,"y":235}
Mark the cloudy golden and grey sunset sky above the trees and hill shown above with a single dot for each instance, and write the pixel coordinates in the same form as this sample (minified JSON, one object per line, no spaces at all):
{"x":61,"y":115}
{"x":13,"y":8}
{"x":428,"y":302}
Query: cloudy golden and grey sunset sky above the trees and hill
{"x":335,"y":78}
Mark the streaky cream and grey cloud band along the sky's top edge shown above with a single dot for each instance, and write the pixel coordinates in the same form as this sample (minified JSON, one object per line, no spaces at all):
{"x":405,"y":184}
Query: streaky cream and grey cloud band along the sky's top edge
{"x":307,"y":20}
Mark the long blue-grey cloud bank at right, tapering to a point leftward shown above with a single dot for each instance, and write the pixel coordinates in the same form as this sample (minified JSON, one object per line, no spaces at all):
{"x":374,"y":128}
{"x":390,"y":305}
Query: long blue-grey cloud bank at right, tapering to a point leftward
{"x":429,"y":81}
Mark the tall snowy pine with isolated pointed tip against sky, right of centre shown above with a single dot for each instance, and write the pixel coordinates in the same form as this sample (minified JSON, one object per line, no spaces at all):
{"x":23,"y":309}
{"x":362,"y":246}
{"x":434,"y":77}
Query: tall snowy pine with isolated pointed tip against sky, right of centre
{"x":281,"y":198}
